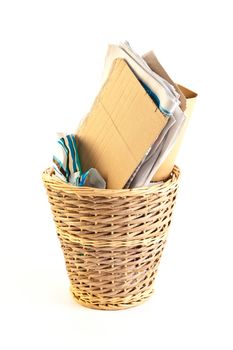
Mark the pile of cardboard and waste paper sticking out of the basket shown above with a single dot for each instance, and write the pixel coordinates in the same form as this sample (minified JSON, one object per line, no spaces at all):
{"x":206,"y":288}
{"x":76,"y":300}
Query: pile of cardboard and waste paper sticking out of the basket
{"x":132,"y":133}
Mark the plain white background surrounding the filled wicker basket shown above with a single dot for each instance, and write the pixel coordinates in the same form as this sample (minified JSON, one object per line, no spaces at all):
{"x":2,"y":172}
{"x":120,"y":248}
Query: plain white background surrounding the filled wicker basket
{"x":51,"y":60}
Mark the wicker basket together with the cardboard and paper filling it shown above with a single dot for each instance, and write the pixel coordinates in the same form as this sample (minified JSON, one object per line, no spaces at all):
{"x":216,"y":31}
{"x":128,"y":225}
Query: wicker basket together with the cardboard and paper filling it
{"x":113,"y":184}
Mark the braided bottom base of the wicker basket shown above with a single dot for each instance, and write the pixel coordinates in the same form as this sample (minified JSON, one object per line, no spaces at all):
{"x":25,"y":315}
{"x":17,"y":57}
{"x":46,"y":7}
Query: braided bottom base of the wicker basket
{"x":114,"y":304}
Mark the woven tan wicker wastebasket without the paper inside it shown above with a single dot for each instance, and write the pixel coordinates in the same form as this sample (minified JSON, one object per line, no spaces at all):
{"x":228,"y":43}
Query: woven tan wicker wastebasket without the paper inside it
{"x":112,"y":240}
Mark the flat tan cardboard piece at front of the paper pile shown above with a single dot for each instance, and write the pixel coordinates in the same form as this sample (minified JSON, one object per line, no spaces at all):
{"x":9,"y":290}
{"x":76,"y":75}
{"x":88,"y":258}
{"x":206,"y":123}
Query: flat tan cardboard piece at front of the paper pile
{"x":121,"y":127}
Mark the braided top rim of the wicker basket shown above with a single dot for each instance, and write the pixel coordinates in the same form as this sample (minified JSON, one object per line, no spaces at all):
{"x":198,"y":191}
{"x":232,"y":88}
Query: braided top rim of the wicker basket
{"x":54,"y":182}
